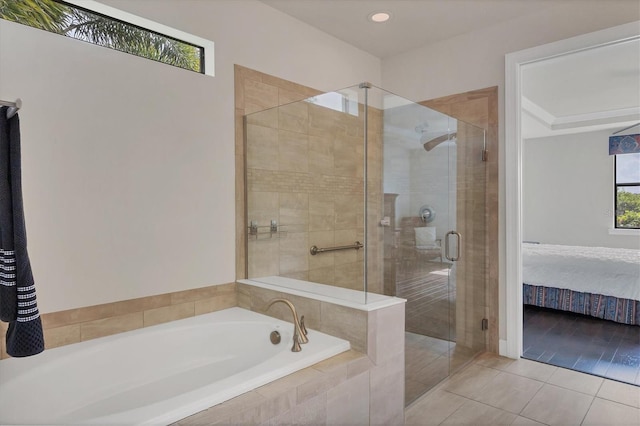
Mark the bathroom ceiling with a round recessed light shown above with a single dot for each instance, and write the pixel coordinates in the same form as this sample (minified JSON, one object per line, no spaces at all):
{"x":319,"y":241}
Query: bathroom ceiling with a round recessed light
{"x":413,"y":23}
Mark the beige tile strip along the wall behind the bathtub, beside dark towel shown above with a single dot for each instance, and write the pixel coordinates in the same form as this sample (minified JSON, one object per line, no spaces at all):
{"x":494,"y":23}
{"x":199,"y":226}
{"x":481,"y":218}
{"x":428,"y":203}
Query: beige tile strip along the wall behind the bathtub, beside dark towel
{"x":80,"y":324}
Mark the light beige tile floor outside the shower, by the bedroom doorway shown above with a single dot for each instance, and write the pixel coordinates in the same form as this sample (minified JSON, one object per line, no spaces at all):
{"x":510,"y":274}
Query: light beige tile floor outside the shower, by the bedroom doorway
{"x":493,"y":390}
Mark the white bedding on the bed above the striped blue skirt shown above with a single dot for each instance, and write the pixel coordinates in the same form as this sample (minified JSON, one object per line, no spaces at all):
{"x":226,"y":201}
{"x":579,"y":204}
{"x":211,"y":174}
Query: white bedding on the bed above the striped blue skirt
{"x":600,"y":270}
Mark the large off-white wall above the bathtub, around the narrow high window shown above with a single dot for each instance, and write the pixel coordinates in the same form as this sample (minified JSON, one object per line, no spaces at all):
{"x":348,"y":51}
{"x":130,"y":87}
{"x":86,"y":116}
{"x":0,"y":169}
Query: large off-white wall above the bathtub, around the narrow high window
{"x":128,"y":164}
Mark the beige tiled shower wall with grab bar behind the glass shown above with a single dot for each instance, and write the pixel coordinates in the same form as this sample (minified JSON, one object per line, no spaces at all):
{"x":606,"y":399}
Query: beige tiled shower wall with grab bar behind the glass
{"x":305,"y":170}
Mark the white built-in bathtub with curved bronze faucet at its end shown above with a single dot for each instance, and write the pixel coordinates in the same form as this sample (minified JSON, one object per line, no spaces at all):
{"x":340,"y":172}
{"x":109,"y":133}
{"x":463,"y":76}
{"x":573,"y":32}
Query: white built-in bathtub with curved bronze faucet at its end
{"x":155,"y":375}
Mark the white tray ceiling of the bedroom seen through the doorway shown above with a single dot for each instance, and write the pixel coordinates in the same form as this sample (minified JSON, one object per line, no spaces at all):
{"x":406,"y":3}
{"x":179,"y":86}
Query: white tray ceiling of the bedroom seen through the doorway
{"x":589,"y":90}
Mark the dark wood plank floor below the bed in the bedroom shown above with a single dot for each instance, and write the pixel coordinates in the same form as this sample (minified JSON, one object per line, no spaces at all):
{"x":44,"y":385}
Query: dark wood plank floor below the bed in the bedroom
{"x":590,"y":345}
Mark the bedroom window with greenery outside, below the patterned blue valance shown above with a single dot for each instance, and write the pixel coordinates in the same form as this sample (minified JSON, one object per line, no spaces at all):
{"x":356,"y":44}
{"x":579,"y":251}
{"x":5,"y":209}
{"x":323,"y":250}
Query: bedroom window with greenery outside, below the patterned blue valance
{"x":627,"y":187}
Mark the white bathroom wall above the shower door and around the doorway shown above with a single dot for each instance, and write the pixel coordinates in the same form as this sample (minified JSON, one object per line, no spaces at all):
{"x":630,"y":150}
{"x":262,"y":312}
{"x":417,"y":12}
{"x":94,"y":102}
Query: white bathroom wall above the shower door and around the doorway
{"x":475,"y":60}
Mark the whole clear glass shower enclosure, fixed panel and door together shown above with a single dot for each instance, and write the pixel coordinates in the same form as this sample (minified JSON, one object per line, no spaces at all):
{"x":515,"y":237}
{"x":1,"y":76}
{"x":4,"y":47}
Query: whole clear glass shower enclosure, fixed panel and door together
{"x":367,"y":193}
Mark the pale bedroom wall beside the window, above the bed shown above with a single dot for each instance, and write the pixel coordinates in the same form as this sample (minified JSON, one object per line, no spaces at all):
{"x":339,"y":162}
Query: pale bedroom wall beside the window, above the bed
{"x":568,"y":191}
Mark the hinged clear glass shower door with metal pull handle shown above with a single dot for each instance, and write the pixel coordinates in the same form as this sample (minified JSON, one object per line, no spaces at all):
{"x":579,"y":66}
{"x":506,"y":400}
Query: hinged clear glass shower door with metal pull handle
{"x":434,"y":251}
